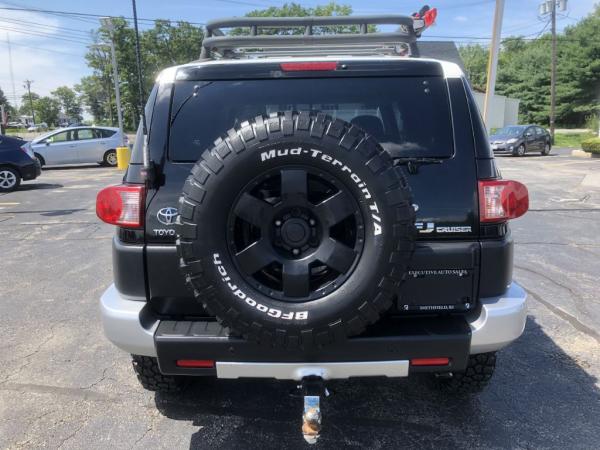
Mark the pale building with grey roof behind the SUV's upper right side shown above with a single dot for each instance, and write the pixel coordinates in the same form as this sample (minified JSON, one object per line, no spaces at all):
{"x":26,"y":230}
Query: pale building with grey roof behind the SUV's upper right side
{"x":504,"y":110}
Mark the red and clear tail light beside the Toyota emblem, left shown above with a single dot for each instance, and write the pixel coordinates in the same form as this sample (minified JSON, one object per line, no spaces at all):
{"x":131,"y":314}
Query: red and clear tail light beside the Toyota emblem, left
{"x":122,"y":205}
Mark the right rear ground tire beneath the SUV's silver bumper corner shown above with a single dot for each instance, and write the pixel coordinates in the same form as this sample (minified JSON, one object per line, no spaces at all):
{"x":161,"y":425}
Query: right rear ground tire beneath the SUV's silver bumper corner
{"x":475,"y":378}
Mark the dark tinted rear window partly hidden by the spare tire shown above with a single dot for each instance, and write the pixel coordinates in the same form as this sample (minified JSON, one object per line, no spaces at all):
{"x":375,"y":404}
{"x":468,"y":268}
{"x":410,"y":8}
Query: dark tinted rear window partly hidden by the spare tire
{"x":409,"y":116}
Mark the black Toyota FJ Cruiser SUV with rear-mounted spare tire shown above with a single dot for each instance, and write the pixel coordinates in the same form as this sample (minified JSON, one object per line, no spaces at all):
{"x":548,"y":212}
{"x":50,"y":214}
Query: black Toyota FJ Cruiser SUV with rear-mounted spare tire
{"x":310,"y":218}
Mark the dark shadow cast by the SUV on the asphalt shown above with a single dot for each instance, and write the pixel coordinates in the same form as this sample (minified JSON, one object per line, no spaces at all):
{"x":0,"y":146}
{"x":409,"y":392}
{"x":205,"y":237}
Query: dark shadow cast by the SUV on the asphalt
{"x":539,"y":398}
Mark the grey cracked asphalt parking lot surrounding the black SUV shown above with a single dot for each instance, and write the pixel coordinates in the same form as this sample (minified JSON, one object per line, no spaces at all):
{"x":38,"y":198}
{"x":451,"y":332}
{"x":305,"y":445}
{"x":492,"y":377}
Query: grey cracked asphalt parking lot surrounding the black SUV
{"x":62,"y":385}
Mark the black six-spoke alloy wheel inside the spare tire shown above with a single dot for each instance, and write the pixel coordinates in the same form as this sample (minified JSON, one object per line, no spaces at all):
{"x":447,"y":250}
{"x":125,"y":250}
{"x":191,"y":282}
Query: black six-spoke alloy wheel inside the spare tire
{"x":296,"y":233}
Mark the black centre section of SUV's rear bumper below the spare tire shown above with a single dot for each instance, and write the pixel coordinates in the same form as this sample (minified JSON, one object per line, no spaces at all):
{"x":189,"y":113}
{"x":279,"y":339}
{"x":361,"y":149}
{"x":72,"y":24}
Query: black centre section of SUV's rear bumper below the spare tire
{"x":397,"y":342}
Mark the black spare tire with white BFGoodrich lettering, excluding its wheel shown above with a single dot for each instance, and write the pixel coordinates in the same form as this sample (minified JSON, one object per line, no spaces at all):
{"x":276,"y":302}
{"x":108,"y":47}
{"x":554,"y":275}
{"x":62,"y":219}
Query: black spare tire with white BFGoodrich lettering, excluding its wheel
{"x":223,"y":171}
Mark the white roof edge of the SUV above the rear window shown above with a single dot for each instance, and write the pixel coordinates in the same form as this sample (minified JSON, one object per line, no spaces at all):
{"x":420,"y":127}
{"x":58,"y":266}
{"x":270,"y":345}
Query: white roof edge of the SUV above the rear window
{"x":450,"y":69}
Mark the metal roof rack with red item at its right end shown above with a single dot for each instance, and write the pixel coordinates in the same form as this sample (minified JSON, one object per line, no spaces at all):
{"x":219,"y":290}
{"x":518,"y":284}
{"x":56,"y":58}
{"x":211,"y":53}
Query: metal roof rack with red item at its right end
{"x":309,"y":40}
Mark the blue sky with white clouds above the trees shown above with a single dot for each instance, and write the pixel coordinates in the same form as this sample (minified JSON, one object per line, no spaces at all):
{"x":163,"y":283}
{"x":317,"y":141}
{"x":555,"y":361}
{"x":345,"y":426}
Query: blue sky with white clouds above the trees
{"x":49,"y":48}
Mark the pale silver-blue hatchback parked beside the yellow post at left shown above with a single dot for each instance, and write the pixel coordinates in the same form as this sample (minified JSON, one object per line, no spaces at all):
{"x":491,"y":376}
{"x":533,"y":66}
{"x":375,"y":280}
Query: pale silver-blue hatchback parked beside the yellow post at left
{"x":78,"y":145}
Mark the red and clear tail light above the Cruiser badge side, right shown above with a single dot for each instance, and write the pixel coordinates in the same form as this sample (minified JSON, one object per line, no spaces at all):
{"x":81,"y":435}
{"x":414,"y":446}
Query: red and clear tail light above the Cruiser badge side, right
{"x":501,"y":200}
